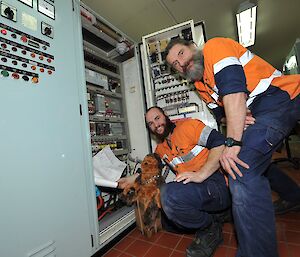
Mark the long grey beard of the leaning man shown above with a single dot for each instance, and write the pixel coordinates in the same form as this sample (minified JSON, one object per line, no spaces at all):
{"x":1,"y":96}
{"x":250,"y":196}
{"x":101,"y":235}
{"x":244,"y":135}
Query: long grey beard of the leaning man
{"x":196,"y":72}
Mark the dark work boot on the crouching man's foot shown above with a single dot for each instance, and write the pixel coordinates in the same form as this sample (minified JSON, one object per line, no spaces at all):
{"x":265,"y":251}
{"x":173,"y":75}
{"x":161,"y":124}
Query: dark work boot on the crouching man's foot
{"x":206,"y":241}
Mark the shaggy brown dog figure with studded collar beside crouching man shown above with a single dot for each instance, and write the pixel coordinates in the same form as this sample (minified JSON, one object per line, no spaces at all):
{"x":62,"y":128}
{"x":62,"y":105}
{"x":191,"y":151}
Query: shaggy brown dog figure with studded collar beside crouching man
{"x":145,"y":194}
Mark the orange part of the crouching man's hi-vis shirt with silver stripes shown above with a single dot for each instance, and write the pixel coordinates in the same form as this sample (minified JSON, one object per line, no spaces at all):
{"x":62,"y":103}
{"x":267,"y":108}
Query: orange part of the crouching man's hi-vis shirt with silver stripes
{"x":187,"y":151}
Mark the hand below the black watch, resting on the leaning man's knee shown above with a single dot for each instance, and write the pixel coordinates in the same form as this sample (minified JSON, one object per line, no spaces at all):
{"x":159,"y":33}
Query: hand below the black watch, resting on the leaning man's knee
{"x":229,"y":159}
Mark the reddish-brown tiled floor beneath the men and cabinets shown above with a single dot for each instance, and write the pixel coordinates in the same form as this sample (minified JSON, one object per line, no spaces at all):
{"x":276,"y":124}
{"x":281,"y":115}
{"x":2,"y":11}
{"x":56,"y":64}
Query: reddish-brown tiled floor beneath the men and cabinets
{"x":165,"y":244}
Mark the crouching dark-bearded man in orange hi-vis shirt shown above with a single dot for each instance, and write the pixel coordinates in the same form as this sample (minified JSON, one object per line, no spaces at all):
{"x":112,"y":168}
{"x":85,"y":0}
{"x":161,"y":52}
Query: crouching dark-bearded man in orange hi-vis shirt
{"x":199,"y":194}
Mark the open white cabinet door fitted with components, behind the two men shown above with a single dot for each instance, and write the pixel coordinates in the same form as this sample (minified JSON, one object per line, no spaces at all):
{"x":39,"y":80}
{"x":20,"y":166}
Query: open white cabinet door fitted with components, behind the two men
{"x":164,"y":87}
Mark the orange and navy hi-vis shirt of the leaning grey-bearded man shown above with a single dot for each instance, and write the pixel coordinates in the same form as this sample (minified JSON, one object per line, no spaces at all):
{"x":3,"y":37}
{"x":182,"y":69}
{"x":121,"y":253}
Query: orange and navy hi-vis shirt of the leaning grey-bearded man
{"x":230,"y":68}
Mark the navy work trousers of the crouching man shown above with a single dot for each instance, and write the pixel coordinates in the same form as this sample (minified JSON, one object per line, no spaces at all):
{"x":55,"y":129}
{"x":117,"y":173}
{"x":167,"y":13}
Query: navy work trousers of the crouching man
{"x":190,"y":205}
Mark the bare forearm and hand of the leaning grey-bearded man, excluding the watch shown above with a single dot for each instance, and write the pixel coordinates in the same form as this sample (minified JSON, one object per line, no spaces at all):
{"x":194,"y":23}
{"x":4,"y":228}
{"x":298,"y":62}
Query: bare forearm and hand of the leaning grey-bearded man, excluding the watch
{"x":235,"y":110}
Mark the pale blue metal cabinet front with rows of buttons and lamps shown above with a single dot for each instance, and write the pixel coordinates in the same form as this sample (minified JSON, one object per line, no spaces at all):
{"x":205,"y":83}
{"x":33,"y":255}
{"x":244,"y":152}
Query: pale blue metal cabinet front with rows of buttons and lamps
{"x":47,"y":193}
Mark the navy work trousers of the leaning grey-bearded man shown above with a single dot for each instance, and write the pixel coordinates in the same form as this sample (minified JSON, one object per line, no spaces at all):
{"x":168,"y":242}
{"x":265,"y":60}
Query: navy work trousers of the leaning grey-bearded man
{"x":252,"y":207}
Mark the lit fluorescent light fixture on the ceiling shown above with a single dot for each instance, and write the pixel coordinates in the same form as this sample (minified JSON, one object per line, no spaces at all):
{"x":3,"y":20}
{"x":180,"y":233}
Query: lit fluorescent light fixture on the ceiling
{"x":246,"y":21}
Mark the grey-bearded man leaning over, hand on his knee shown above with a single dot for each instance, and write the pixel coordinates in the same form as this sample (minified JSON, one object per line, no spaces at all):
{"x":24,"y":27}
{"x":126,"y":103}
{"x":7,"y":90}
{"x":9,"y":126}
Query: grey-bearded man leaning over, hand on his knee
{"x":228,"y":75}
